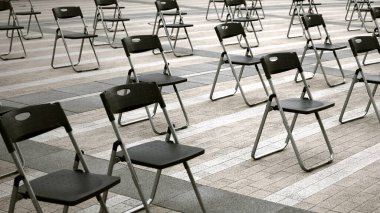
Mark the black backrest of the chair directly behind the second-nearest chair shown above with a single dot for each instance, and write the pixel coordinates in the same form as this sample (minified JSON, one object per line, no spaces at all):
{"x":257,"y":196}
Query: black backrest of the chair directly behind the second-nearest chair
{"x":141,"y":43}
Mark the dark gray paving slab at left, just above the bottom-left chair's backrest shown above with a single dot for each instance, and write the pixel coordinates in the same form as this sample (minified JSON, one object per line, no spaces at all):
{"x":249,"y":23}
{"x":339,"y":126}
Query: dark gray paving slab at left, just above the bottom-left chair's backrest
{"x":41,"y":97}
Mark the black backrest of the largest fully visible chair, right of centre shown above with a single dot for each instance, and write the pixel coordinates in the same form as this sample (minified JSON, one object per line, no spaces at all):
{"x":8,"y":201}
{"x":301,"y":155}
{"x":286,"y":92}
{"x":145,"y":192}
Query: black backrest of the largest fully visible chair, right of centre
{"x":280,"y":62}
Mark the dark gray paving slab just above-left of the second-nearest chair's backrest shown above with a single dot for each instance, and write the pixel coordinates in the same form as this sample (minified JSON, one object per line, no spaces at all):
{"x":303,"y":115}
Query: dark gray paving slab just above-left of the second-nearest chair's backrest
{"x":86,"y":88}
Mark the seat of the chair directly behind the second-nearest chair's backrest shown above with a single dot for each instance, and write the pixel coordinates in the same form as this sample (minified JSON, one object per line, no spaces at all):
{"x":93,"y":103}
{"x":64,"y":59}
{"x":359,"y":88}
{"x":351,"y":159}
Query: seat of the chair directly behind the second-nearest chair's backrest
{"x":161,"y":79}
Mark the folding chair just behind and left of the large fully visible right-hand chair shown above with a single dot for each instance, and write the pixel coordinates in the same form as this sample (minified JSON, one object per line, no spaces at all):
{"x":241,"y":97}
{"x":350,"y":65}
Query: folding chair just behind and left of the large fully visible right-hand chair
{"x":228,"y":30}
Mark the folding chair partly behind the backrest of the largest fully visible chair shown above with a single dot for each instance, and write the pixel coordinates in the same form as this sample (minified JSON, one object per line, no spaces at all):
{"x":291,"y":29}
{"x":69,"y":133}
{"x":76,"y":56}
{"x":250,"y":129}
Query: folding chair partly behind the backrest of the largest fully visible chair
{"x":315,"y":20}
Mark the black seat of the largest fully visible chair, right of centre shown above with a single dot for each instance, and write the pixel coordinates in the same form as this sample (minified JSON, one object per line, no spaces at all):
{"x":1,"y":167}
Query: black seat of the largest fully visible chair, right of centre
{"x":303,"y":106}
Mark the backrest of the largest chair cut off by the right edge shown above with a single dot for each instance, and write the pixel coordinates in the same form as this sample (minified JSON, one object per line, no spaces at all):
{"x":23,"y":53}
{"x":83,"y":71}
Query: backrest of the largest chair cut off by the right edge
{"x":362,"y":44}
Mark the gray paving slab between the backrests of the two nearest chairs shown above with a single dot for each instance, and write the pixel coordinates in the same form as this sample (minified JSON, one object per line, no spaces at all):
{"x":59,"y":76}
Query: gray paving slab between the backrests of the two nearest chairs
{"x":83,"y":104}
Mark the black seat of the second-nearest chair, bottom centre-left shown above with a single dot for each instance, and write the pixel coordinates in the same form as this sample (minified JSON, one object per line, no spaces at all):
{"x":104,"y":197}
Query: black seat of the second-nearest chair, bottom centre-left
{"x":161,"y":154}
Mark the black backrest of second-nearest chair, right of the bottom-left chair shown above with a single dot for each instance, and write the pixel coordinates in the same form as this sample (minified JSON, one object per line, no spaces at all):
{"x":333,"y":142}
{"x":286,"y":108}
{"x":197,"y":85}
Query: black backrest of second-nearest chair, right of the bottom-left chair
{"x":129,"y":97}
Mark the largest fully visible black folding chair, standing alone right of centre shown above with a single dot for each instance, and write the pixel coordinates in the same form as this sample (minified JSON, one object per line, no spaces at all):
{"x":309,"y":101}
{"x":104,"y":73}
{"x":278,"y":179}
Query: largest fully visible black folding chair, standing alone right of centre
{"x":278,"y":63}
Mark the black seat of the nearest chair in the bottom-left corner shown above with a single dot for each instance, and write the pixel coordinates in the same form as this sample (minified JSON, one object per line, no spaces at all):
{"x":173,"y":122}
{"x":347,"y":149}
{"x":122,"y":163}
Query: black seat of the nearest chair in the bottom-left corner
{"x":69,"y":187}
